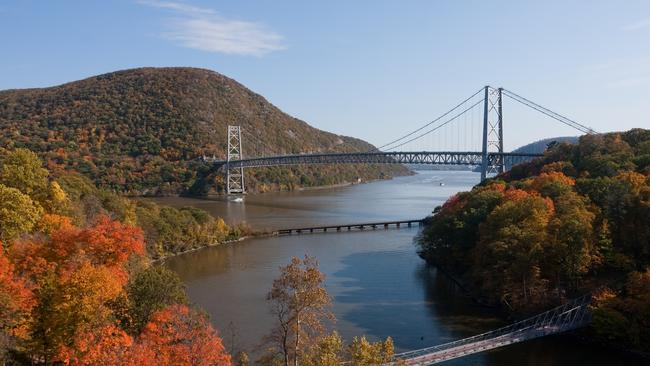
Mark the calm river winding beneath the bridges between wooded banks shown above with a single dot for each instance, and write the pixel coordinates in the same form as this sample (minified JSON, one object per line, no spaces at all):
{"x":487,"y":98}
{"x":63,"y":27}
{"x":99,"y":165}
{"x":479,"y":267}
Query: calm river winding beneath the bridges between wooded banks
{"x":380,"y":286}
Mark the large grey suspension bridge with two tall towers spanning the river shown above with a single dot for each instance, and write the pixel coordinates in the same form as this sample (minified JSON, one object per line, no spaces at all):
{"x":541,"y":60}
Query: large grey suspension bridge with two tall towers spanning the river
{"x":455,"y":142}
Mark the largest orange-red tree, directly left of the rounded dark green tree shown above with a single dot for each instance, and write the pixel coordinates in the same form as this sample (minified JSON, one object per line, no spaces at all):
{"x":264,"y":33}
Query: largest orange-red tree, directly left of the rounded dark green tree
{"x":78,"y":274}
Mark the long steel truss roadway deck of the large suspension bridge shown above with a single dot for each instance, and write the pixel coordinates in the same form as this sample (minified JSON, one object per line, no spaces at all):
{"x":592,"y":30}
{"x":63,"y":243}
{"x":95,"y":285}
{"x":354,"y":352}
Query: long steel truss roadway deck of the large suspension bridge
{"x":379,"y":157}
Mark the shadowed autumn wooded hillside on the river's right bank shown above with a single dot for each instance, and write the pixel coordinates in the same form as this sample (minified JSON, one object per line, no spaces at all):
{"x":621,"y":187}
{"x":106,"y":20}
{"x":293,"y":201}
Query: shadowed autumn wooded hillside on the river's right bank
{"x":572,"y":222}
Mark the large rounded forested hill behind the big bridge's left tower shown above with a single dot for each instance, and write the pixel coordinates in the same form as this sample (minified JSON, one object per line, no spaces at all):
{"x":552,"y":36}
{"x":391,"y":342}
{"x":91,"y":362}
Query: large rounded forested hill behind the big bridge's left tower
{"x":141,"y":130}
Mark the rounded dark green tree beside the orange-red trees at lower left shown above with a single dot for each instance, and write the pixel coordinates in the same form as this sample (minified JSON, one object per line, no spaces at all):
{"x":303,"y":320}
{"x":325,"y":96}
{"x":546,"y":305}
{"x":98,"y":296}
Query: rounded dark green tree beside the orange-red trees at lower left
{"x":151,"y":290}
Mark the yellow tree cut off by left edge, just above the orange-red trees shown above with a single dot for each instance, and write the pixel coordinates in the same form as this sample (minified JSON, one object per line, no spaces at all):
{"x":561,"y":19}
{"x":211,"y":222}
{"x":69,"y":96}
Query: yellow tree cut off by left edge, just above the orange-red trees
{"x":18,"y":213}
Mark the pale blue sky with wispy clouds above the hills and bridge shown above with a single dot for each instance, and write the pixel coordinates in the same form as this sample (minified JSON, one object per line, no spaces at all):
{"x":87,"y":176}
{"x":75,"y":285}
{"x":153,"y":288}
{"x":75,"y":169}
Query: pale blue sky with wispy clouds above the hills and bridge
{"x":369,"y":69}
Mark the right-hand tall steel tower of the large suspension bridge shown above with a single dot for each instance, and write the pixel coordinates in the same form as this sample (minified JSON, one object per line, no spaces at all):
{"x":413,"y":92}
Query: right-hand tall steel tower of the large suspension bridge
{"x":492,"y":132}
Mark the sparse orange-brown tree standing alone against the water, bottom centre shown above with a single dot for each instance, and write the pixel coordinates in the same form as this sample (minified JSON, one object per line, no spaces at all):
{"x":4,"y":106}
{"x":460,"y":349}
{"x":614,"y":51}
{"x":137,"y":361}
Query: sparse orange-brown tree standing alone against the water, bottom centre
{"x":300,"y":304}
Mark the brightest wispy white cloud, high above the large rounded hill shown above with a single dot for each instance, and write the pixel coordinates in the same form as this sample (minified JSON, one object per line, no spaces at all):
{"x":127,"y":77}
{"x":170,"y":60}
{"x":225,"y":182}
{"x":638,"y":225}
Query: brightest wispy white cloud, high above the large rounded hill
{"x":203,"y":29}
